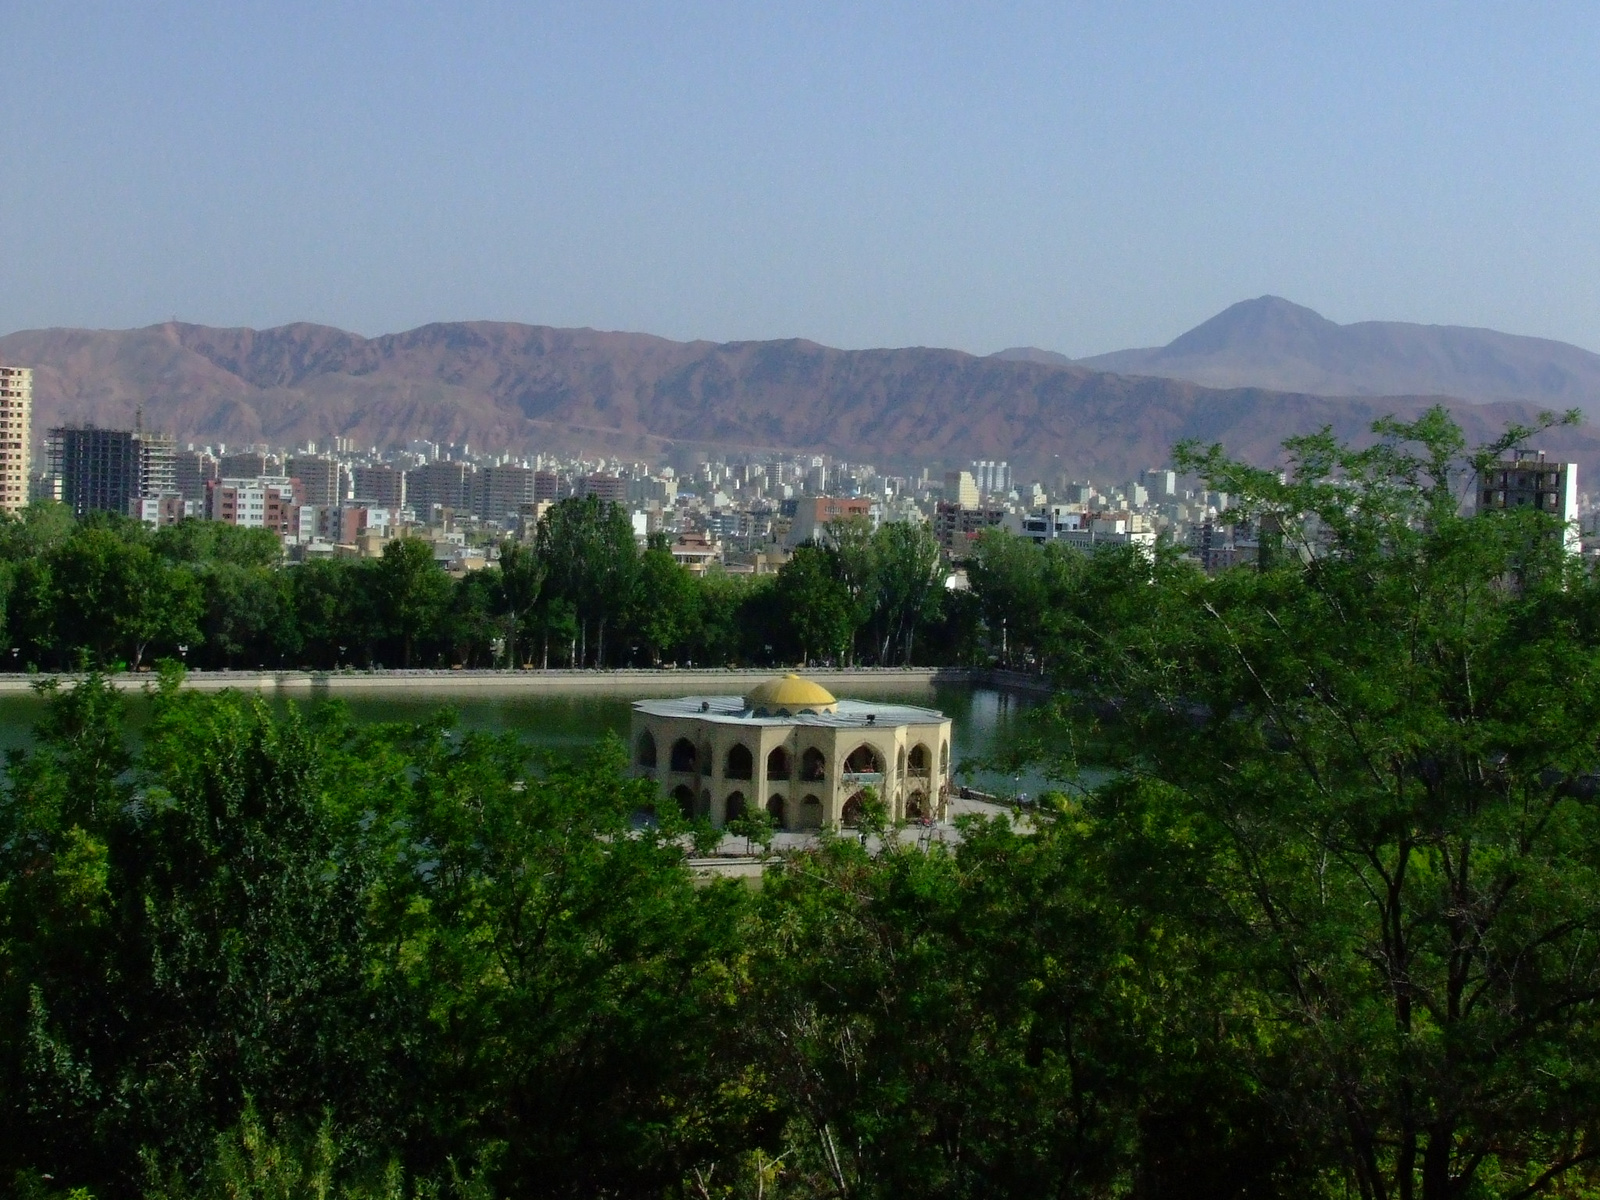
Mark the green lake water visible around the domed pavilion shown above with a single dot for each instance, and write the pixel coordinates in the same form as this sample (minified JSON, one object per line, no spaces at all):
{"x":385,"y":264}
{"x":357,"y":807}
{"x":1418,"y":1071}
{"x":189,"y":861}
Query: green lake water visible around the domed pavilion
{"x":983,"y":721}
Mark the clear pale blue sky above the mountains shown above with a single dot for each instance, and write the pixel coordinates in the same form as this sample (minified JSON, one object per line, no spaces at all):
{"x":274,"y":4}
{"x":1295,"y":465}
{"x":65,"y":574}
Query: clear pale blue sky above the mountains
{"x":1078,"y":177}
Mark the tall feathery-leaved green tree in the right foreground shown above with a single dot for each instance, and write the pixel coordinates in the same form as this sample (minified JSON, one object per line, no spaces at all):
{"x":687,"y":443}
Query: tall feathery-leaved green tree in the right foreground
{"x":1361,"y":783}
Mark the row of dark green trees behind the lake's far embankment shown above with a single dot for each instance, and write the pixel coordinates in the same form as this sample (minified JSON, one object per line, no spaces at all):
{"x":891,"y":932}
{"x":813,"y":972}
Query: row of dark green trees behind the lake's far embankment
{"x":110,"y":593}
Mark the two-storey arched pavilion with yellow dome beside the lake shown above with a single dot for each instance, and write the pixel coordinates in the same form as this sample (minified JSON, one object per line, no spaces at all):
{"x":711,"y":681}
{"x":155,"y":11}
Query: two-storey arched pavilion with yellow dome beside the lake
{"x":798,"y":753}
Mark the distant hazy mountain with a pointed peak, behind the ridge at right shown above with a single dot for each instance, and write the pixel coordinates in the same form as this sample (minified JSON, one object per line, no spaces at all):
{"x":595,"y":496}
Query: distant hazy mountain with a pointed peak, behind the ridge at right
{"x":1273,"y":343}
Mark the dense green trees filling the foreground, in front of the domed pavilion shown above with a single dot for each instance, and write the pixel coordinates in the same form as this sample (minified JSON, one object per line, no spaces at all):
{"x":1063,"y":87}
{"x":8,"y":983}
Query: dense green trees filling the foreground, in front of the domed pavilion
{"x":1322,"y":921}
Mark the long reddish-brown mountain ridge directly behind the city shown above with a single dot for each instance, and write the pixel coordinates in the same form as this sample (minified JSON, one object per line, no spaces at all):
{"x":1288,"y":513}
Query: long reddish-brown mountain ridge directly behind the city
{"x":534,"y":388}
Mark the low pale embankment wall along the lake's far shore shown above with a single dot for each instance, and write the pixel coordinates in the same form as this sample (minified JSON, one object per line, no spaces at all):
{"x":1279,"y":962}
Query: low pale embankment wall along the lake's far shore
{"x":730,"y":682}
